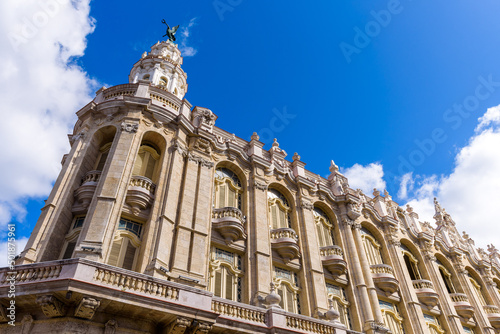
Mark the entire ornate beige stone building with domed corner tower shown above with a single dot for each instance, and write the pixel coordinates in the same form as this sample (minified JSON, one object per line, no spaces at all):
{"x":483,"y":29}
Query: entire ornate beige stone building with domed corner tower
{"x":161,"y":222}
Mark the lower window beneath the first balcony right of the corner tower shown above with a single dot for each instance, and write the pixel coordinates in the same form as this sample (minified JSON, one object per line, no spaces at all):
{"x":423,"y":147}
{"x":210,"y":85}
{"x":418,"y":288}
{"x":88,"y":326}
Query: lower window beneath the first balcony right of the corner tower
{"x":226,"y":274}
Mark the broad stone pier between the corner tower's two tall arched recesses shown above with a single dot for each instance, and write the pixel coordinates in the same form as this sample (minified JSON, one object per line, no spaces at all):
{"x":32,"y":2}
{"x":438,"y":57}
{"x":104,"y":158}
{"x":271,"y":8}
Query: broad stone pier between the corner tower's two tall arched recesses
{"x":105,"y":208}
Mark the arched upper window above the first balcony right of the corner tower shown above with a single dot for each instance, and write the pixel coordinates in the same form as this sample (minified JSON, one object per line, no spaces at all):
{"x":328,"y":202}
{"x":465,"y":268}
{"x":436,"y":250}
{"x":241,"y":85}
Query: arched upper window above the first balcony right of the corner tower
{"x":228,"y":189}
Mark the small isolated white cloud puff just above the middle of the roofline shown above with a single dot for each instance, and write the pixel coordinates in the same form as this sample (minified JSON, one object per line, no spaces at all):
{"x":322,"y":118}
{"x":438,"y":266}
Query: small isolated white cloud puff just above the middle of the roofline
{"x":365,"y":177}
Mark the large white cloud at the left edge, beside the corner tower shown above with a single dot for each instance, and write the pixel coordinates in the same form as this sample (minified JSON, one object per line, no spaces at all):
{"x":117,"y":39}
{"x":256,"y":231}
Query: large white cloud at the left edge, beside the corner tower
{"x":41,"y":89}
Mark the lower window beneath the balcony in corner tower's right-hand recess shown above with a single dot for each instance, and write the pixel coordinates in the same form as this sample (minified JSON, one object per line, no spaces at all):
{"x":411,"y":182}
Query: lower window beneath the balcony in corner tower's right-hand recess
{"x":126,"y":243}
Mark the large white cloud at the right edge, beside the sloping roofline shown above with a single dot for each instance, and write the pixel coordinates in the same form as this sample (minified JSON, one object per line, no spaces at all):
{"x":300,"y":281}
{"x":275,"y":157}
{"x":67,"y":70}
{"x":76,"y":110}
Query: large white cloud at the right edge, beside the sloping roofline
{"x":470,"y":193}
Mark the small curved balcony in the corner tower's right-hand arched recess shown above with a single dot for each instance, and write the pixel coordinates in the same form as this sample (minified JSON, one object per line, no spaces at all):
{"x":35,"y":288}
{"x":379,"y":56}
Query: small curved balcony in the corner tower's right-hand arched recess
{"x":140,"y":193}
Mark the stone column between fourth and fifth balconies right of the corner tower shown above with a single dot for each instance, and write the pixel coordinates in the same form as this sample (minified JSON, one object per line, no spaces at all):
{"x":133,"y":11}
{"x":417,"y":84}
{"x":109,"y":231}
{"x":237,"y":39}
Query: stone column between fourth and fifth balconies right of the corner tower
{"x":411,"y":310}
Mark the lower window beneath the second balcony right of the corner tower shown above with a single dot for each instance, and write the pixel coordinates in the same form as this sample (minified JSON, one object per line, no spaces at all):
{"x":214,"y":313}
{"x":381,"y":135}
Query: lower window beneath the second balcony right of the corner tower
{"x":287,"y":286}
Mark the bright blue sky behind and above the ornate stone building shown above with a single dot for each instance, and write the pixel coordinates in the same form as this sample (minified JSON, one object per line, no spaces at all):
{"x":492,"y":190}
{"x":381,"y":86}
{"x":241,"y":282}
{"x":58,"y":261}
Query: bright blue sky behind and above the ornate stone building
{"x":415,"y":62}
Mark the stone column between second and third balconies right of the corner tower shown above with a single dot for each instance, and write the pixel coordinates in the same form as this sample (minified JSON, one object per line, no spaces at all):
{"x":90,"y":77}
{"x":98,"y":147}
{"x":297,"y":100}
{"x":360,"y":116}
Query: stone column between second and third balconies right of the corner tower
{"x":313,"y":268}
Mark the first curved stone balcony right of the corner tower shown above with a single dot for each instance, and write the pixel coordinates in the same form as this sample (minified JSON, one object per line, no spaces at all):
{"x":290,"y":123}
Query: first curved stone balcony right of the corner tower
{"x":230,"y":223}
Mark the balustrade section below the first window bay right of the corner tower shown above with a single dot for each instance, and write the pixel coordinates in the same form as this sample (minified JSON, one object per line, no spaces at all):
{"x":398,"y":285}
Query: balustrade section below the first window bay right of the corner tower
{"x":238,"y":310}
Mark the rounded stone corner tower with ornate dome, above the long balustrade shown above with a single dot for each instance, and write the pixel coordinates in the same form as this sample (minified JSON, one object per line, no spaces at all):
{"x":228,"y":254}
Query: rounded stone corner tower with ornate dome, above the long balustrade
{"x":129,"y":153}
